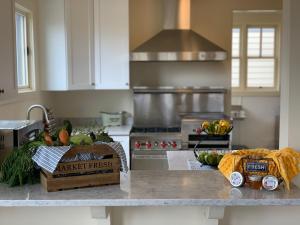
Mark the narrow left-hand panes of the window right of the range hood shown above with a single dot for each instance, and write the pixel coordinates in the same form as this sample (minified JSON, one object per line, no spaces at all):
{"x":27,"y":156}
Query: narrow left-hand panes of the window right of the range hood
{"x":235,"y":63}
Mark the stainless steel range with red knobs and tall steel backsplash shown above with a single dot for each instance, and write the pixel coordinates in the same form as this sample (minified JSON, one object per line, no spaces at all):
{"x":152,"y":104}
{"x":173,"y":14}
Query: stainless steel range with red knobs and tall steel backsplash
{"x":158,"y":116}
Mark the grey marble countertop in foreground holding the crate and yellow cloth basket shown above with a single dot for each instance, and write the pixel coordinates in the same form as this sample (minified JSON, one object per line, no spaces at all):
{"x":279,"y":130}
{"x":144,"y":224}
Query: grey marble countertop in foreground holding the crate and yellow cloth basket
{"x":153,"y":188}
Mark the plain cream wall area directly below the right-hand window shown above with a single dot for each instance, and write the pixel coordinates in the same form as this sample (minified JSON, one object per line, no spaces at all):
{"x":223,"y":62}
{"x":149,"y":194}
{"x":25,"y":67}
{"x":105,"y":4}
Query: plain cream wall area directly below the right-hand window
{"x":261,"y":127}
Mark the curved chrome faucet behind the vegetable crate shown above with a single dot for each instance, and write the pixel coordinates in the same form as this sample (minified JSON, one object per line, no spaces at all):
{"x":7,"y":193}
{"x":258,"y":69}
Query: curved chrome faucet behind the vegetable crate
{"x":48,"y":118}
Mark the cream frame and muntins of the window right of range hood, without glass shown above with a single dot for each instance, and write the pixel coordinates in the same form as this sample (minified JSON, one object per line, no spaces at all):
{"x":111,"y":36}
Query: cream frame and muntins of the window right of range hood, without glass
{"x":243,"y":89}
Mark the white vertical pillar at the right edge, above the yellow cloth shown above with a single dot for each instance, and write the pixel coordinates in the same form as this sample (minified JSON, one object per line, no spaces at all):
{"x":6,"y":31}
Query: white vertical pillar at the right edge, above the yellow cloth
{"x":290,"y":80}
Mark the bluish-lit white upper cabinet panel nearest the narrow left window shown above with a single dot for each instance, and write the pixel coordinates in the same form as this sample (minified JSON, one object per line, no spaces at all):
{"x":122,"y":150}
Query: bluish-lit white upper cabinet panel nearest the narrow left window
{"x":53,"y":60}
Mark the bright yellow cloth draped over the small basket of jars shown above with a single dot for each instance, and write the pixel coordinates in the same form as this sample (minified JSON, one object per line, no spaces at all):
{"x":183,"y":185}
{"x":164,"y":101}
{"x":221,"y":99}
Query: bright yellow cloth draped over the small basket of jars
{"x":287,"y":162}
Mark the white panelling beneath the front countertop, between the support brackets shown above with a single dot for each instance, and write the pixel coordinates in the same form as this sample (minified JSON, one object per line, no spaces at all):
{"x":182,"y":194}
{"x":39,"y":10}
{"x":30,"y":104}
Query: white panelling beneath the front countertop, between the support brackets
{"x":148,"y":215}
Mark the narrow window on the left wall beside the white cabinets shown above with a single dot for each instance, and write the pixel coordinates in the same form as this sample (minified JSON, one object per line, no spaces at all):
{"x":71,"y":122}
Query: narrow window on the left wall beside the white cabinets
{"x":24,"y":48}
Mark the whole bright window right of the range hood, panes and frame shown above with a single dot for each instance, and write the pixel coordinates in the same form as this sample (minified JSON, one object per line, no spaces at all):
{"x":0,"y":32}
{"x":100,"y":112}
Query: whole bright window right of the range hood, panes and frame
{"x":255,"y":52}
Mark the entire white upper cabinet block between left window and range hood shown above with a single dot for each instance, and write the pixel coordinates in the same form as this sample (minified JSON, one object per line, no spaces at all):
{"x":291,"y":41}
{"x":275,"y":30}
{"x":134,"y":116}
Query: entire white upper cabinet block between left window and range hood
{"x":84,"y":44}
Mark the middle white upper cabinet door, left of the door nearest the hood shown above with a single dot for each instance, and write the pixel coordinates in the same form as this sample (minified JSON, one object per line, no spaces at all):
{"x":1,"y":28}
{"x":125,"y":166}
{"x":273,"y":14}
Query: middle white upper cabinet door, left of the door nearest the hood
{"x":80,"y":42}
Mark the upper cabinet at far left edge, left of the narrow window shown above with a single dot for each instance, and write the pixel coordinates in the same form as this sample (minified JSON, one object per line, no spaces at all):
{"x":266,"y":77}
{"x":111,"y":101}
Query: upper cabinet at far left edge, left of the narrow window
{"x":8,"y":87}
